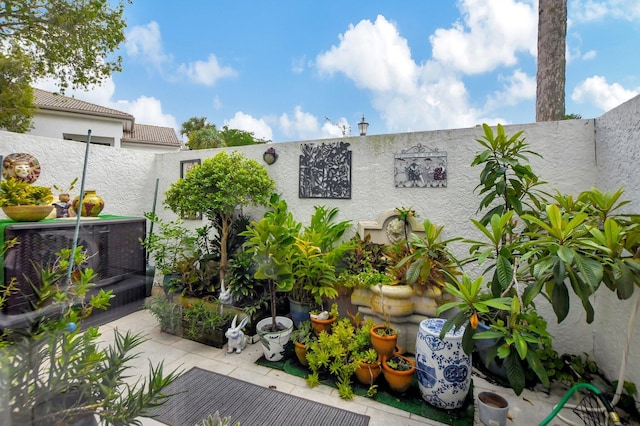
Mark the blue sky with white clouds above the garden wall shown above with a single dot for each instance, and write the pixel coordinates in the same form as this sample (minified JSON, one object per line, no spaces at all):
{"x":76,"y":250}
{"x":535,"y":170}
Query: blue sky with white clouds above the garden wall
{"x":297,"y":70}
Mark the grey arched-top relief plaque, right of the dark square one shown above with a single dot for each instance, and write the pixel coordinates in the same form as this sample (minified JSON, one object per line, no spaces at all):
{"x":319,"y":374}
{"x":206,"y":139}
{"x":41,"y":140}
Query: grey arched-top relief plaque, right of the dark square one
{"x":420,"y":167}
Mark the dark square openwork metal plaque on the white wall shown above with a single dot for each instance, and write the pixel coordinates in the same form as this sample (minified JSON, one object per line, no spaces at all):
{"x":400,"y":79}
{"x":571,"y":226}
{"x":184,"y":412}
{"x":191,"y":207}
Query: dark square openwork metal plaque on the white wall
{"x":325,"y":171}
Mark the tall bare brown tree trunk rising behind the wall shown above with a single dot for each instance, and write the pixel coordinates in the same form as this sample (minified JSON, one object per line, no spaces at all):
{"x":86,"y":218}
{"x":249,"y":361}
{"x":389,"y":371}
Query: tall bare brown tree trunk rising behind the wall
{"x":552,"y":37}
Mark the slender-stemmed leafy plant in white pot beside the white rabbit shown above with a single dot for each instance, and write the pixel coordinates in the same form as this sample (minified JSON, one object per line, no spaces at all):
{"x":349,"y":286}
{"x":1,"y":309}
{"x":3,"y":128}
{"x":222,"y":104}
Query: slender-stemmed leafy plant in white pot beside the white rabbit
{"x":270,"y":241}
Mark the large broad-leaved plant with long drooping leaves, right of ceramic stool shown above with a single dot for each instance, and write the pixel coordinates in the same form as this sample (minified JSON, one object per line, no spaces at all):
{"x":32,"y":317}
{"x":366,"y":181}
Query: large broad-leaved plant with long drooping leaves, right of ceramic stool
{"x":535,"y":244}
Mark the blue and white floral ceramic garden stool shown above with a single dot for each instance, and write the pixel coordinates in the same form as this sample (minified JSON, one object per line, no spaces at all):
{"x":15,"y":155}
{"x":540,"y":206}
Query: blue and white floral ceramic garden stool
{"x":444,"y":370}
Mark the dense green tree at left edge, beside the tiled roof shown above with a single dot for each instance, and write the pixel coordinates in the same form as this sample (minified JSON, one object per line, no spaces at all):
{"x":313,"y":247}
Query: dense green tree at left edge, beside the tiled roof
{"x":16,"y":94}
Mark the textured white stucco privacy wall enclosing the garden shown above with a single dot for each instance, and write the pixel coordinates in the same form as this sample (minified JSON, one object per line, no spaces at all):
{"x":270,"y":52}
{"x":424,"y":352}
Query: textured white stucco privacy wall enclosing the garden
{"x":126,"y":180}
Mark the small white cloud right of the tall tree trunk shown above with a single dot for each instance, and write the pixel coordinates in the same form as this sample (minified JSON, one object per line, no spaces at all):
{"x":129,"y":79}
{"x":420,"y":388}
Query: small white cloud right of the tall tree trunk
{"x":596,"y":91}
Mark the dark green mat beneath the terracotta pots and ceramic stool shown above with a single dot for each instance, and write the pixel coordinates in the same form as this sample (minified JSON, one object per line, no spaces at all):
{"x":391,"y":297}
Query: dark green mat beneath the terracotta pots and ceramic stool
{"x":411,"y":401}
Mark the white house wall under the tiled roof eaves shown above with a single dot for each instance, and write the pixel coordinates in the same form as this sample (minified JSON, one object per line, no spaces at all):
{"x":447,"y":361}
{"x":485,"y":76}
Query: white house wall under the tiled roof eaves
{"x":46,"y":124}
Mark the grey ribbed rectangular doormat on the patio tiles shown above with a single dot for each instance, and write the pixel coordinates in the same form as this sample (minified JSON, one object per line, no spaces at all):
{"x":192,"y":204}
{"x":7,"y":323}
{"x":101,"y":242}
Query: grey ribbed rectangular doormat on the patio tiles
{"x":199,"y":393}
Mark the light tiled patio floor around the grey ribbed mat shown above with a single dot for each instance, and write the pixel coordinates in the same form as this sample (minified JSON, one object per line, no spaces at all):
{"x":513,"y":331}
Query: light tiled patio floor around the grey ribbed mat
{"x":530,"y":408}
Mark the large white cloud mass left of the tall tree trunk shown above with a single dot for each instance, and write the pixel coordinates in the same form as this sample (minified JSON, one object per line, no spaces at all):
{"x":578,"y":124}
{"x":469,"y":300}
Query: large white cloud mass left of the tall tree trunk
{"x":433,"y":95}
